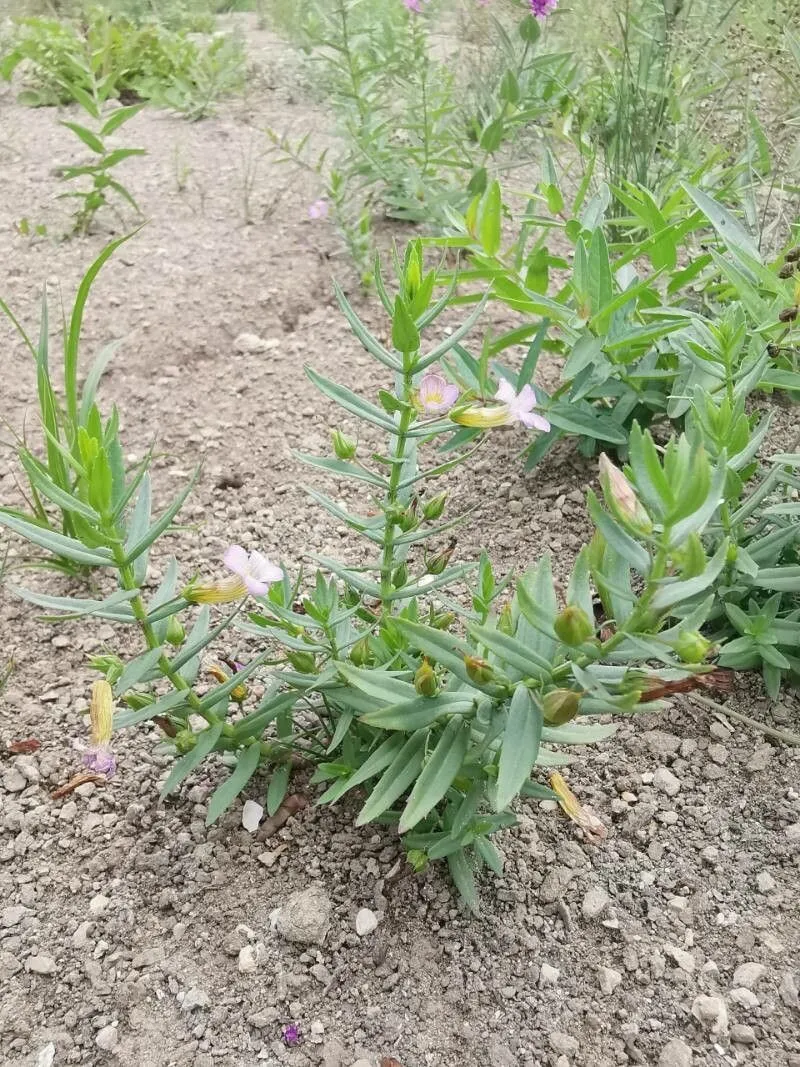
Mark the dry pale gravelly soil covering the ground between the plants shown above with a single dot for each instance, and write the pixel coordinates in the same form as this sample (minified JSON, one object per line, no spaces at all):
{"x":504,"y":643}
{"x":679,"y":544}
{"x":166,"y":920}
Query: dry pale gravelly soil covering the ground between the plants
{"x":123,"y":919}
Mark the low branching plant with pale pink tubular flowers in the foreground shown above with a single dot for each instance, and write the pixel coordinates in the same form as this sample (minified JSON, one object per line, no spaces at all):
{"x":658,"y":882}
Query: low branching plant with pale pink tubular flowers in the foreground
{"x":440,"y":710}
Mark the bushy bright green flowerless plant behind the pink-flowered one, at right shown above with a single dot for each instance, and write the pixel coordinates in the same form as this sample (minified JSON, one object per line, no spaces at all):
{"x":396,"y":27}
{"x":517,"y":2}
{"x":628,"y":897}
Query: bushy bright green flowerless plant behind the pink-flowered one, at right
{"x":637,"y":343}
